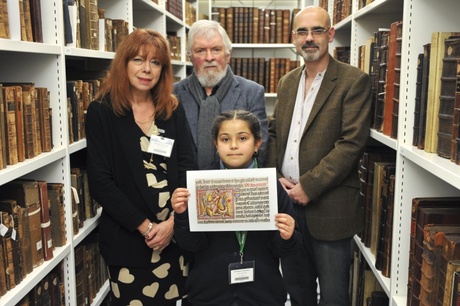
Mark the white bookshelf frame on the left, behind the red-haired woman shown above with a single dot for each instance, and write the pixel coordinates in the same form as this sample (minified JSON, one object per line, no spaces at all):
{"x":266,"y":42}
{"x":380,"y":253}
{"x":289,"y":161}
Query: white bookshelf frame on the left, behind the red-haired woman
{"x":50,"y":64}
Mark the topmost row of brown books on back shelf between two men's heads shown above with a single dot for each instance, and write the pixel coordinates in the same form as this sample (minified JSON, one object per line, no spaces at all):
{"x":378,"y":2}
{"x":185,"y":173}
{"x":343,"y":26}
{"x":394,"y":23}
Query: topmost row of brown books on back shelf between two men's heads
{"x":255,"y":25}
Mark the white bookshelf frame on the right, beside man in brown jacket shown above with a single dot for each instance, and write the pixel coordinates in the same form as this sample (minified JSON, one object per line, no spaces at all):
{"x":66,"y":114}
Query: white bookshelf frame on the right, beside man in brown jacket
{"x":418,"y":173}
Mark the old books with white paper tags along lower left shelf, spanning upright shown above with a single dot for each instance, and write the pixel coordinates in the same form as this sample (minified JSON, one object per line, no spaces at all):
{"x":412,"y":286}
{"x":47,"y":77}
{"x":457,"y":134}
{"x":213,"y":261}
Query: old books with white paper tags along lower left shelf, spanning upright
{"x":33,"y":223}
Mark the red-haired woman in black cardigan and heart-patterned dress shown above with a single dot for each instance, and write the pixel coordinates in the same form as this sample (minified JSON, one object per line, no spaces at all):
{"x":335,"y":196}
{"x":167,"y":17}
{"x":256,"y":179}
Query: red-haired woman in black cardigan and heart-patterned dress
{"x":138,"y":145}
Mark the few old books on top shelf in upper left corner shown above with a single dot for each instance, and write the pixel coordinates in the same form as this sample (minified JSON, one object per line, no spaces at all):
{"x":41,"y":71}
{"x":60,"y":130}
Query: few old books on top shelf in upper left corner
{"x":29,"y":18}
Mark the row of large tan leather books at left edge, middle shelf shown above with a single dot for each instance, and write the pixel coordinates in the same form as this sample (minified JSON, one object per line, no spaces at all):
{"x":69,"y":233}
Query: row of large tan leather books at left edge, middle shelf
{"x":25,"y":122}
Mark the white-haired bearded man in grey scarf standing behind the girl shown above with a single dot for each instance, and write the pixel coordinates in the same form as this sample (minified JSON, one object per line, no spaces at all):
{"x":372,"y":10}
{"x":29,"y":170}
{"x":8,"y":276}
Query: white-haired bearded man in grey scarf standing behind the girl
{"x":212,"y":88}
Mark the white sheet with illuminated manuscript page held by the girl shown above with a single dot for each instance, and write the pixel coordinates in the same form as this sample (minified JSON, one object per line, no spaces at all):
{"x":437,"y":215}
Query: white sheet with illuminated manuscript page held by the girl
{"x":232,"y":199}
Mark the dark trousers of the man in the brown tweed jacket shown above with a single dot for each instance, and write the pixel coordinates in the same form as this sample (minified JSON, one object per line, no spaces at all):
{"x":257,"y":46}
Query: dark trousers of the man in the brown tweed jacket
{"x":325,"y":261}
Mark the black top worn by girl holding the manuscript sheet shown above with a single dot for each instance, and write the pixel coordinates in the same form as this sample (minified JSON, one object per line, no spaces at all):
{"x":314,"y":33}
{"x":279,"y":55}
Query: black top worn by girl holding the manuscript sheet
{"x":208,"y":281}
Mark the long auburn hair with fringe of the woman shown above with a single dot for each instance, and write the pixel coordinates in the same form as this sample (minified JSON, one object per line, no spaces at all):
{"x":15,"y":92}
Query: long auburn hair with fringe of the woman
{"x":117,"y":85}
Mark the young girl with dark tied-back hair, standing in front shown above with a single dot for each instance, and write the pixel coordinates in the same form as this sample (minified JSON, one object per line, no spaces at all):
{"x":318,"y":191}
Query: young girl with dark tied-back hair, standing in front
{"x":237,"y":139}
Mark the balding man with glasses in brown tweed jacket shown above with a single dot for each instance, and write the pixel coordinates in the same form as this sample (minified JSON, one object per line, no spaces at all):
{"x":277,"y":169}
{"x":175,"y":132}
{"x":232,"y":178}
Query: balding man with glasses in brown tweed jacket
{"x":318,"y":133}
